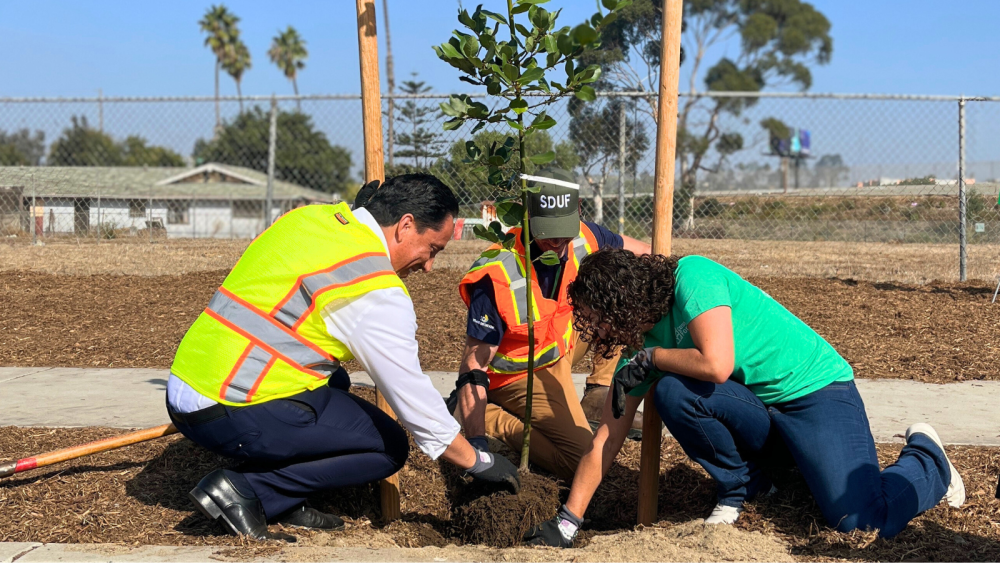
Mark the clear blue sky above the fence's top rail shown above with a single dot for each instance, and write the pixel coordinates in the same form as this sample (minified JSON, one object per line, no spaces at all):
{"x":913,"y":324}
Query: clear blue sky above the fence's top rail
{"x":150,"y":48}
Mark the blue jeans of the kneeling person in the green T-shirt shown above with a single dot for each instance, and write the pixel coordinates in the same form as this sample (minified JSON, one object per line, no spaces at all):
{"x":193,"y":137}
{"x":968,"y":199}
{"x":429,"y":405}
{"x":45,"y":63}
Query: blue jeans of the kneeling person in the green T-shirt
{"x":728,"y":431}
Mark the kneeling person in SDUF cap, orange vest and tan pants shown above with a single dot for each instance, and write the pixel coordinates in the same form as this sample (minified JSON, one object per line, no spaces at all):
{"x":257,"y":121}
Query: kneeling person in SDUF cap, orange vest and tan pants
{"x":492,"y":387}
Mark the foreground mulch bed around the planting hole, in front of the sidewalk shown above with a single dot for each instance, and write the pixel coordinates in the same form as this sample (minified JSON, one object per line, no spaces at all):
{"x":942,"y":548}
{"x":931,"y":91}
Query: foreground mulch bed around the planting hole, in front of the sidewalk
{"x":138,"y":495}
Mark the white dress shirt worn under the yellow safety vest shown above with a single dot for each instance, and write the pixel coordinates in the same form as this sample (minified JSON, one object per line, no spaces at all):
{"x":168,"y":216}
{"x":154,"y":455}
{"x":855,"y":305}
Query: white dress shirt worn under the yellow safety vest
{"x":380,"y":329}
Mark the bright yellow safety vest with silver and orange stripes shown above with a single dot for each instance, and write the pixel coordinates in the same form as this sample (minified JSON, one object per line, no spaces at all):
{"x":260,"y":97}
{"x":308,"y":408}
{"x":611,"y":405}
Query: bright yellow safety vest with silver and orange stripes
{"x":261,"y":336}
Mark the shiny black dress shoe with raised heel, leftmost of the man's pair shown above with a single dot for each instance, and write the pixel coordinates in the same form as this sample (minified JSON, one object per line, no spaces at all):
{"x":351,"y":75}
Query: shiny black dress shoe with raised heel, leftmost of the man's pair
{"x":217,"y":498}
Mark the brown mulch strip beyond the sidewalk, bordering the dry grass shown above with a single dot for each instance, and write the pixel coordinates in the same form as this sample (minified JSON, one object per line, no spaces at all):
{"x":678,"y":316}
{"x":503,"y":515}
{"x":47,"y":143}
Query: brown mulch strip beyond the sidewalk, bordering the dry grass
{"x":940,"y":332}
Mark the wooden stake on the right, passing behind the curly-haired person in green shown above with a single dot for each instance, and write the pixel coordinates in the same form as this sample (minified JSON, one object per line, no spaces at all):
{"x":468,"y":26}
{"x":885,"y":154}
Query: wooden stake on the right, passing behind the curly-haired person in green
{"x":663,"y":210}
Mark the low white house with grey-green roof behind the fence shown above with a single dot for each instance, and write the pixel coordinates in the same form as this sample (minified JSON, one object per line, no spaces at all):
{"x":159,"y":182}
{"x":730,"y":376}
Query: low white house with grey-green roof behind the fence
{"x":210,"y":201}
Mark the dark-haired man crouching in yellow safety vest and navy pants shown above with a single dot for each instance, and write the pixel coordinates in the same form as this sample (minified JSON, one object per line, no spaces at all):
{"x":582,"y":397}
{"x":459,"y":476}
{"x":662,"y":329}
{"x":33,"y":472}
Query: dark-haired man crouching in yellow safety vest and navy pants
{"x":258,"y":376}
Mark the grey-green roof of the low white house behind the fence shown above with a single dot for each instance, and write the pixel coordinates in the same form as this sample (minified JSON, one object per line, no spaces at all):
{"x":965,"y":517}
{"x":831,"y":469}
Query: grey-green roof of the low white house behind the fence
{"x":208,"y":181}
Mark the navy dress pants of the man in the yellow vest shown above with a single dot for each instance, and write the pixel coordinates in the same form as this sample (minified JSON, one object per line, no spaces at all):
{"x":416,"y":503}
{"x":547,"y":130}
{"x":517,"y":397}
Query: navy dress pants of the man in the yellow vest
{"x":317,"y":440}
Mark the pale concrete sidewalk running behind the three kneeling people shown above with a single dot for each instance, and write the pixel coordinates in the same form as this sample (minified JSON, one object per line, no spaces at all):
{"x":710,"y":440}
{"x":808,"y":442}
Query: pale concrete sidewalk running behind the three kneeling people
{"x":963,"y":413}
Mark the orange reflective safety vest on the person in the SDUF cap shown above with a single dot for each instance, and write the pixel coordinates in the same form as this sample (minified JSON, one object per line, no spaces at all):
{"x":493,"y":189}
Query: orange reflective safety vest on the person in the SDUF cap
{"x":553,"y":317}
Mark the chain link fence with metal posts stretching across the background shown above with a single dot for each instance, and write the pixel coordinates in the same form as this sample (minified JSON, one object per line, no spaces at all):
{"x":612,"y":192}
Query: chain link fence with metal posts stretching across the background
{"x":780,"y":169}
